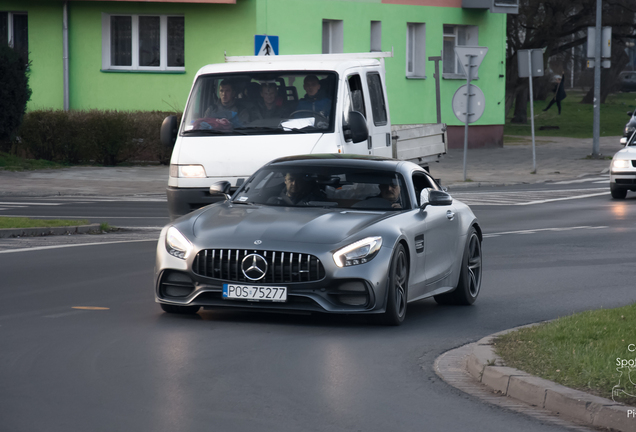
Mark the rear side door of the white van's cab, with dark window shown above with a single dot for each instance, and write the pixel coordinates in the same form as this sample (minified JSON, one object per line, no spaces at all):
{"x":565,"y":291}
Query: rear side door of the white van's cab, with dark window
{"x":378,"y":120}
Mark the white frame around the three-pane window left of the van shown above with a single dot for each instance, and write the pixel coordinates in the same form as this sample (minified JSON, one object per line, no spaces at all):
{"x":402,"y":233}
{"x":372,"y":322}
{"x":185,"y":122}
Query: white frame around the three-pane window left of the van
{"x":163,"y":45}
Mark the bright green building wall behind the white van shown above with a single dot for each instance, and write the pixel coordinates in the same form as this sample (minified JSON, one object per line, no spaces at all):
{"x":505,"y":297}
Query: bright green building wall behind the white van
{"x":211,"y":29}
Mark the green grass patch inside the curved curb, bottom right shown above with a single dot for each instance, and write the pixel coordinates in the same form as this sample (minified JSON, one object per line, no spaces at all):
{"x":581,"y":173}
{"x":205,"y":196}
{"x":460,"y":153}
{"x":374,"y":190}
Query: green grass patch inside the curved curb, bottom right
{"x":593,"y":351}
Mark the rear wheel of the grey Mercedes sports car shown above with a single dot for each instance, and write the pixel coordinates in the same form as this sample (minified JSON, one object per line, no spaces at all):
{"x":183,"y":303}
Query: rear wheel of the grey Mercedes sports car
{"x":469,"y":284}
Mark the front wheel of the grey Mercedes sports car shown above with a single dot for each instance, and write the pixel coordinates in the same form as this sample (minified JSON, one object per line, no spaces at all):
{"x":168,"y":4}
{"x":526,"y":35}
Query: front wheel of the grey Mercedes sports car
{"x":398,"y":288}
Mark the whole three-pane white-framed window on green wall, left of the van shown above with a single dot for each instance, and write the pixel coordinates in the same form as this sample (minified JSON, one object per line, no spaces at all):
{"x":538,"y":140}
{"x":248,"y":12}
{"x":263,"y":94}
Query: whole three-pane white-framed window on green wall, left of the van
{"x":143,"y":42}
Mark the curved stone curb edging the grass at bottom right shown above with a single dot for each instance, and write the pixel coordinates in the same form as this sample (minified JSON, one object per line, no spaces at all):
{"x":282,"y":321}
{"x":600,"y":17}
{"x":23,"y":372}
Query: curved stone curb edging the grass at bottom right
{"x":488,"y":368}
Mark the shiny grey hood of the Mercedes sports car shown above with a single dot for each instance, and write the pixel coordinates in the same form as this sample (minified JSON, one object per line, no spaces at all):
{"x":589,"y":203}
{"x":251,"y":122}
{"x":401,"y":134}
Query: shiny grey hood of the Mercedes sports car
{"x":244,"y":224}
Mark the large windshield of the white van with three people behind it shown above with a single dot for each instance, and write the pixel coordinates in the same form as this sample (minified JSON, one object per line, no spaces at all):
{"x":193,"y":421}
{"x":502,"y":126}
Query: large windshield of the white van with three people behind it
{"x":261,"y":103}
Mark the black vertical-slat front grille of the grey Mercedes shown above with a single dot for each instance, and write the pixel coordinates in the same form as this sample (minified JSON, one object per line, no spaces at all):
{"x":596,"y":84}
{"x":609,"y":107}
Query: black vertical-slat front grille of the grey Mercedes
{"x":282,"y":267}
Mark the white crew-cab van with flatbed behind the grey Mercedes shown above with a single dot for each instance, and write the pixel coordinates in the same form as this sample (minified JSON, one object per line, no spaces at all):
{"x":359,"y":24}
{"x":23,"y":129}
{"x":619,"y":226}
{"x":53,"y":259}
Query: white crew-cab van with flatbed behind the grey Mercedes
{"x":250,"y":110}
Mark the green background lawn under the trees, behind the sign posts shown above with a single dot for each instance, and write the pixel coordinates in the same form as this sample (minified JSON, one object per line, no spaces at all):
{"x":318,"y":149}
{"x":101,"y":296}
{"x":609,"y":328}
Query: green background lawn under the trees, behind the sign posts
{"x":576,"y":119}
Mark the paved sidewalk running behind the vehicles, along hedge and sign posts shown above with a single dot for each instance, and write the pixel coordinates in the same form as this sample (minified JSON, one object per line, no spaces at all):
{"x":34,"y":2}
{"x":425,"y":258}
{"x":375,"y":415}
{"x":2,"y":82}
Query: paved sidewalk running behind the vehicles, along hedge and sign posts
{"x":557,"y":159}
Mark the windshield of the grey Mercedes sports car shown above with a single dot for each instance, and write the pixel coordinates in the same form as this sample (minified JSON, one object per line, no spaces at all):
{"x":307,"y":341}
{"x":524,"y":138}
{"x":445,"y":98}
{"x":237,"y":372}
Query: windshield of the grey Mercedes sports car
{"x":330,"y":187}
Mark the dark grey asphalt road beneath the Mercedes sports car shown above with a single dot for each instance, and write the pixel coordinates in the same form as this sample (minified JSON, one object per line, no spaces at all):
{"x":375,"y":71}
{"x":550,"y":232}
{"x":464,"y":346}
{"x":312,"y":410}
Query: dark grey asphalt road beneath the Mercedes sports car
{"x":131,"y":367}
